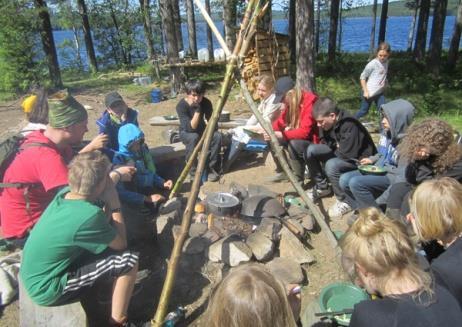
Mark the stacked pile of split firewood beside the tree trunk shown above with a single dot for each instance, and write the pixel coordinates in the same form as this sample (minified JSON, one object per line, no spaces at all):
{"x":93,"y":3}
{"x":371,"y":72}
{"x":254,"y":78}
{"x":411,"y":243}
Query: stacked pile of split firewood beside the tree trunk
{"x":268,"y":55}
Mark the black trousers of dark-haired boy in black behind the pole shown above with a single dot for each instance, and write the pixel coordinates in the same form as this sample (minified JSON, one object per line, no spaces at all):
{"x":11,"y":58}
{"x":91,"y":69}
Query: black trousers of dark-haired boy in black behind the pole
{"x":190,"y":140}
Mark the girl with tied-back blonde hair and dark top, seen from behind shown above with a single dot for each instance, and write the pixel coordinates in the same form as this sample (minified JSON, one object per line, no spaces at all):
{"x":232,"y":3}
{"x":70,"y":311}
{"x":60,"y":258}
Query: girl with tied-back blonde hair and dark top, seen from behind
{"x":382,"y":255}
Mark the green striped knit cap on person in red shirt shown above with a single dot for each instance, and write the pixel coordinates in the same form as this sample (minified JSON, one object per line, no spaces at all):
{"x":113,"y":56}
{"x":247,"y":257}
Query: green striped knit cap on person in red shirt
{"x":64,"y":110}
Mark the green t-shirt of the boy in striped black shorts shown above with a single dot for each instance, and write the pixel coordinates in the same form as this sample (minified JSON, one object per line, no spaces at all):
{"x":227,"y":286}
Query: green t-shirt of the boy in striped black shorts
{"x":66,"y":230}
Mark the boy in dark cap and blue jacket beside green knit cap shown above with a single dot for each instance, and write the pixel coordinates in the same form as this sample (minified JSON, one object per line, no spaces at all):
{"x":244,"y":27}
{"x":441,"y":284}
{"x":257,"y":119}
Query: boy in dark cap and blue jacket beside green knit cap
{"x":117,"y":114}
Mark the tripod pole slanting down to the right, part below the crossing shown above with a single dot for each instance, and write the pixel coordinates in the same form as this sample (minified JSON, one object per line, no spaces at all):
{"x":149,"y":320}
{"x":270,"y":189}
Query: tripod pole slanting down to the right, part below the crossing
{"x":285,"y":166}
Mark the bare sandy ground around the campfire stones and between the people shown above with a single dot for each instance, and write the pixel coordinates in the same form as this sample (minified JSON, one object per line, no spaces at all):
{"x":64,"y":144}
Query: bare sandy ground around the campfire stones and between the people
{"x":195,"y":277}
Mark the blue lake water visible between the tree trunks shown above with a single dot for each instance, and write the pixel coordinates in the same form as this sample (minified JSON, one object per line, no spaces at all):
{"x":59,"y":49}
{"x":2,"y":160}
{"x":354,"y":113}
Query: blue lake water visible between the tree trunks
{"x":355,"y":33}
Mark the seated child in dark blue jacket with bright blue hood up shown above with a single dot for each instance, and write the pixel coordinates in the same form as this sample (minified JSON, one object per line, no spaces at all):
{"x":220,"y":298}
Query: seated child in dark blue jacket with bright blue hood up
{"x":134,"y":152}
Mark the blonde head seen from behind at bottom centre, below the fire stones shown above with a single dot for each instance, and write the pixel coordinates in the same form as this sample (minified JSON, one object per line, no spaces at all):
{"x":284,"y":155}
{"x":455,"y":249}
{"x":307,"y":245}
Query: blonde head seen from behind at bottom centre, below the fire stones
{"x":249,"y":296}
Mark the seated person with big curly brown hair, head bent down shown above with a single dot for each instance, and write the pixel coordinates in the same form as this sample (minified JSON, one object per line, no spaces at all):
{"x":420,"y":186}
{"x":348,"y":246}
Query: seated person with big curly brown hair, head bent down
{"x":431,"y":152}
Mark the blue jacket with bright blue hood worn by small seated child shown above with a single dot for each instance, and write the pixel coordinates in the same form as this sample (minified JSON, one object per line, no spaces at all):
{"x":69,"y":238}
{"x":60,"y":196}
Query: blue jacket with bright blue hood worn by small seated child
{"x":145,"y":176}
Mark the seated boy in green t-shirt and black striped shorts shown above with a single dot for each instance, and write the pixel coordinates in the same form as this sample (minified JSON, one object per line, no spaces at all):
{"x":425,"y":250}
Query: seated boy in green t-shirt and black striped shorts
{"x":75,"y":243}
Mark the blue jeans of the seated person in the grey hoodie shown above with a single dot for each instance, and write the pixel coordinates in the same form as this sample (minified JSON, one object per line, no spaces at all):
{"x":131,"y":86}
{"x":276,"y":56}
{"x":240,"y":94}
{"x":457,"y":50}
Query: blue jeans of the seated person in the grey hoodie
{"x":362,"y":190}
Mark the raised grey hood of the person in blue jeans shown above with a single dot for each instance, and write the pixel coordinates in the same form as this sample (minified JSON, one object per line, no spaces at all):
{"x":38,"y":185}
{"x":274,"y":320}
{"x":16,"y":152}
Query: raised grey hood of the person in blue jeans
{"x":399,"y":114}
